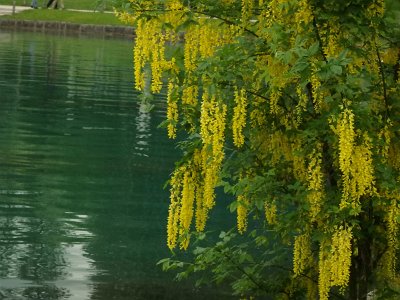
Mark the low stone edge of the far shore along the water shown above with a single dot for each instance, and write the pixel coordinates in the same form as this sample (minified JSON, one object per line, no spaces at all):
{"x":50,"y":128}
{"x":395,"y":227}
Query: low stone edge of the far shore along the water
{"x":69,"y":28}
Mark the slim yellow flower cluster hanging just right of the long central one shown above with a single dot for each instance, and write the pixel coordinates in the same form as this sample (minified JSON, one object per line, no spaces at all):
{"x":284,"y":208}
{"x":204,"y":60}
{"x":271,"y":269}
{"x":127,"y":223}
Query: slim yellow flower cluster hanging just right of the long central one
{"x":239,"y":117}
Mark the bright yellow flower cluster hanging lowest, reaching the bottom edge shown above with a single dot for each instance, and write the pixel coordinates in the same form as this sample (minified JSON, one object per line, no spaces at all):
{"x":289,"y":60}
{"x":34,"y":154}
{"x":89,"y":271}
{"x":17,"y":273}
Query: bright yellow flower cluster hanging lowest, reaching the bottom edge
{"x":334,"y":264}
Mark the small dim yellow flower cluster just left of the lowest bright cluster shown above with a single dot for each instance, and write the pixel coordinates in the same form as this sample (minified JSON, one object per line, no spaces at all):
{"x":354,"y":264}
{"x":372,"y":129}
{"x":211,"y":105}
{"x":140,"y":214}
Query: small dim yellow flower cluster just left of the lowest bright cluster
{"x":302,"y":254}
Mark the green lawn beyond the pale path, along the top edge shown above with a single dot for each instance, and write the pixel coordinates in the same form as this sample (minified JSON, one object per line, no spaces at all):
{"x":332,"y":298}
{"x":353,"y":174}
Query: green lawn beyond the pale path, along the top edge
{"x":69,"y":4}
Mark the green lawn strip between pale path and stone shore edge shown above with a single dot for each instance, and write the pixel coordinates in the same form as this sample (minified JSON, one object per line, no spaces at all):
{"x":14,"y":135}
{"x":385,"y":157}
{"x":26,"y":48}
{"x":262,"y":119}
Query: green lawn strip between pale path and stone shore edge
{"x":66,"y":16}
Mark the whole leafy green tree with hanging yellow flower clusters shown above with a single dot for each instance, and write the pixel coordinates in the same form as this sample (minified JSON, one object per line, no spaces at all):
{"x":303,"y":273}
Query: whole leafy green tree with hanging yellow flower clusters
{"x":293,"y":107}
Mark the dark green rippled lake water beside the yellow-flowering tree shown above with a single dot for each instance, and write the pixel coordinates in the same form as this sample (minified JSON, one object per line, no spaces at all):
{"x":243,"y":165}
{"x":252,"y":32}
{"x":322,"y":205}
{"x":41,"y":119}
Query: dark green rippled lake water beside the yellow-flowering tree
{"x":82,"y":166}
